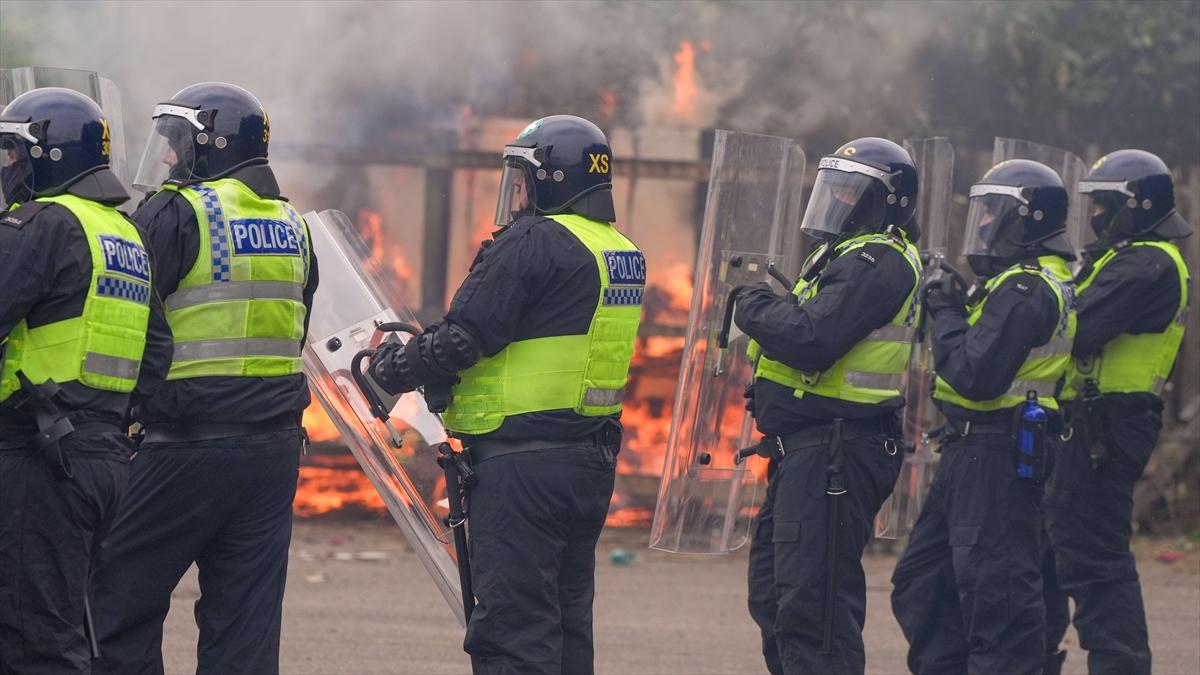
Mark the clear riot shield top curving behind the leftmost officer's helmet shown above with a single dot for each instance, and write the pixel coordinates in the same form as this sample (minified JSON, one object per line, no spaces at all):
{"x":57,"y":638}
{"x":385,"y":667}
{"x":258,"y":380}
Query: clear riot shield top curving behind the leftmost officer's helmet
{"x":15,"y":82}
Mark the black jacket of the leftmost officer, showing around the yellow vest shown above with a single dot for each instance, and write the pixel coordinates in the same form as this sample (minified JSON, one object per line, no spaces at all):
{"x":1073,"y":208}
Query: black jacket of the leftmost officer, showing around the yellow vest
{"x":45,"y":278}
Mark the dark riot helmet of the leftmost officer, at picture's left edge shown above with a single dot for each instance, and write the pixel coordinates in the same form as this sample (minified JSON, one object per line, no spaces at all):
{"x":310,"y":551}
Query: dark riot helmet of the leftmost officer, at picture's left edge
{"x":51,"y":140}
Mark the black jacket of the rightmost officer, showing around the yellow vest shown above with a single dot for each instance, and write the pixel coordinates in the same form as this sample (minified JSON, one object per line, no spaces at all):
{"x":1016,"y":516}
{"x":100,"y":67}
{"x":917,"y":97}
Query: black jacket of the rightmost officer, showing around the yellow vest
{"x":1138,"y":291}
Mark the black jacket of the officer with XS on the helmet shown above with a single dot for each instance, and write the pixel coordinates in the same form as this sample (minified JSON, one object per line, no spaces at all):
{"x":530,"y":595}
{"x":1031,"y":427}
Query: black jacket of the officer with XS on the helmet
{"x":535,"y":280}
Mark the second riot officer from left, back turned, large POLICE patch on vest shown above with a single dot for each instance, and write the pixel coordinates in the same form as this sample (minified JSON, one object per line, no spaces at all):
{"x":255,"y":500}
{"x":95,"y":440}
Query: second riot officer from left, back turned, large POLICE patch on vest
{"x":221,"y":396}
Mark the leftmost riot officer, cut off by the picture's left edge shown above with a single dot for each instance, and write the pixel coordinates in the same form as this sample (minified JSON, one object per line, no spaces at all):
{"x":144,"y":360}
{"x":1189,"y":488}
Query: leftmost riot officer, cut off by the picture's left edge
{"x":75,"y":294}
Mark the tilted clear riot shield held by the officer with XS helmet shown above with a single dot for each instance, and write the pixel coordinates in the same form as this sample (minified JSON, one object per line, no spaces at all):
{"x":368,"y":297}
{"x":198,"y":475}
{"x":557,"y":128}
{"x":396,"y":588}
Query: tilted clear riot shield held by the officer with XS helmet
{"x":352,"y":302}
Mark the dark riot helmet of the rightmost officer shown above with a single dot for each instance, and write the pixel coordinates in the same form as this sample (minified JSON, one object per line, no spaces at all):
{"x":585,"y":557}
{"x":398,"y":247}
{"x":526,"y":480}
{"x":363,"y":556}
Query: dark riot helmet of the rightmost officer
{"x":1133,"y":196}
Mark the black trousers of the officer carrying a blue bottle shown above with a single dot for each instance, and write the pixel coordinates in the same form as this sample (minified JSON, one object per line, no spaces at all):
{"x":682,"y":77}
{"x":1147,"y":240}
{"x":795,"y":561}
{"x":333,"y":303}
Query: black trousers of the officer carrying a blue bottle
{"x":968,"y":589}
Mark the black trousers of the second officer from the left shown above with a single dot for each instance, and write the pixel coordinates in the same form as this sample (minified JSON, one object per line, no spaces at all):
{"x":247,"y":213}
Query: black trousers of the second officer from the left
{"x":225,"y":505}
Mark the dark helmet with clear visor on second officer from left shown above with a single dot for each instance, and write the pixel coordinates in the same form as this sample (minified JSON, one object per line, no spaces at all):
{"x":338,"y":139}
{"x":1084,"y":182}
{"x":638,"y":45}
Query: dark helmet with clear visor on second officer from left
{"x":205,"y":133}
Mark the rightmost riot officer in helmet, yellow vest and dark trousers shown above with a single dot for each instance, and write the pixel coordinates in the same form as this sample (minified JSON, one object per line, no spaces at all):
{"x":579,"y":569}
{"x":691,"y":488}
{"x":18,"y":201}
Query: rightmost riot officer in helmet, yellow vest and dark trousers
{"x":1133,"y":295}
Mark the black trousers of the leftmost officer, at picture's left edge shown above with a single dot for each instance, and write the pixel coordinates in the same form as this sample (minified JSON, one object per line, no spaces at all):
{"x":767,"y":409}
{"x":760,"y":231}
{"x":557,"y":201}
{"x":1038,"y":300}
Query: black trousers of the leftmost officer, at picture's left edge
{"x":50,"y":533}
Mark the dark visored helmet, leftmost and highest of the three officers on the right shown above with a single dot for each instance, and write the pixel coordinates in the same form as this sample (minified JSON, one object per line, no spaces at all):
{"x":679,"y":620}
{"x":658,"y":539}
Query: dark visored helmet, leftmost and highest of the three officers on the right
{"x":868,"y":186}
